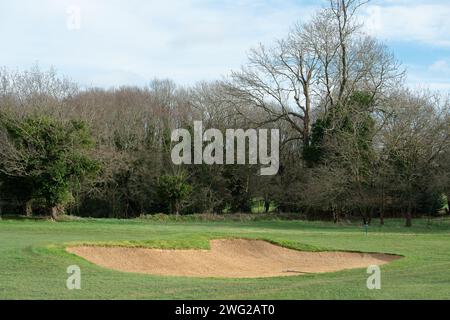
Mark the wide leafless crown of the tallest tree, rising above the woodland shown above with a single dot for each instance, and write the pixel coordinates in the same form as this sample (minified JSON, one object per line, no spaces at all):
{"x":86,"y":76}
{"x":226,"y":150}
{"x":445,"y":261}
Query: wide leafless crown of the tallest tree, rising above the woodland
{"x":320,"y":64}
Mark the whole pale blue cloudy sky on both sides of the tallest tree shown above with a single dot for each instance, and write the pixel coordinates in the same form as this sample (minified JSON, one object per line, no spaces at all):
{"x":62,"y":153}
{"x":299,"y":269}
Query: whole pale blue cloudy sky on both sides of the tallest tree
{"x":130,"y":42}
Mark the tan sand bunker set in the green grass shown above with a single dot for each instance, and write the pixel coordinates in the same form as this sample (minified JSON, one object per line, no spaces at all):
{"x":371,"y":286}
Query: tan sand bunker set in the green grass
{"x":237,"y":258}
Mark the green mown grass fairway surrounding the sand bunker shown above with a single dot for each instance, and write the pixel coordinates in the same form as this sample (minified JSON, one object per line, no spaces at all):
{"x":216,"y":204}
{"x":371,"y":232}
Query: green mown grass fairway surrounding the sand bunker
{"x":33,"y":262}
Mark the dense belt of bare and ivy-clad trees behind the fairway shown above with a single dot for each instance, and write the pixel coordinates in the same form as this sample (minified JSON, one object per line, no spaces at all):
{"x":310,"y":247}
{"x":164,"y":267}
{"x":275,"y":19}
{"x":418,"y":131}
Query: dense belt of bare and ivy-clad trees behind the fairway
{"x":356,"y":142}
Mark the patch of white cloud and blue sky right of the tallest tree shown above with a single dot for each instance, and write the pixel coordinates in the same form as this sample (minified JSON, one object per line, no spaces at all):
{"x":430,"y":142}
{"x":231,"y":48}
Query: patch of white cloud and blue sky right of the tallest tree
{"x":416,"y":24}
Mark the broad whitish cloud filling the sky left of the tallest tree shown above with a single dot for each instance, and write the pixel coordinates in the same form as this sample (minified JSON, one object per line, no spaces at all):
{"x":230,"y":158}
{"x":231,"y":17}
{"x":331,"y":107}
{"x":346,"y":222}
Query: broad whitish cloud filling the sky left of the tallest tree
{"x":186,"y":40}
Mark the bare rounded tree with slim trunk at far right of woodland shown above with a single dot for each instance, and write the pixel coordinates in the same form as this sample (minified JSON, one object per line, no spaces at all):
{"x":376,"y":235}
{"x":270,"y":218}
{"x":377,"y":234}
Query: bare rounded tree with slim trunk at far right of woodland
{"x":414,"y":139}
